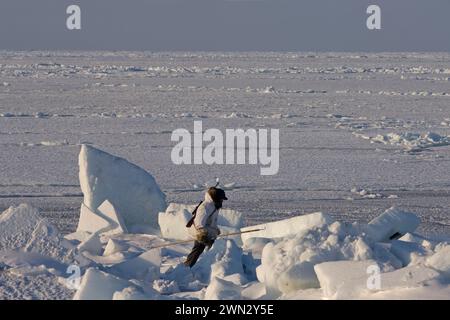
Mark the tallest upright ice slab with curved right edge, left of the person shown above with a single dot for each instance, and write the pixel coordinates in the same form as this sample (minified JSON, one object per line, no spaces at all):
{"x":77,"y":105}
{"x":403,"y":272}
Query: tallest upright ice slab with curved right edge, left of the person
{"x":131,"y":190}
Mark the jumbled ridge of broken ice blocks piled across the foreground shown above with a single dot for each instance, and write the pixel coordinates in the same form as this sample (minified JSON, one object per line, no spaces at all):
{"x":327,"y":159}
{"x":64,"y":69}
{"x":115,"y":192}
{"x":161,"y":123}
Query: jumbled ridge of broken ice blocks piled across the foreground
{"x":301,"y":257}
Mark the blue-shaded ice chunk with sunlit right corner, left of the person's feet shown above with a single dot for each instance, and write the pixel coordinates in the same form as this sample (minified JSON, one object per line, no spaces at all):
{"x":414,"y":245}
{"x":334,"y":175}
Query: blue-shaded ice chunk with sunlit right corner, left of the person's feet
{"x":144,"y":267}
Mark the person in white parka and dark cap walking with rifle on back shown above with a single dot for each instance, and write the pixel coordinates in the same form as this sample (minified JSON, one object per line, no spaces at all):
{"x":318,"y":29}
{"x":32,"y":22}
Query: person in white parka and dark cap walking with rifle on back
{"x":203,"y":225}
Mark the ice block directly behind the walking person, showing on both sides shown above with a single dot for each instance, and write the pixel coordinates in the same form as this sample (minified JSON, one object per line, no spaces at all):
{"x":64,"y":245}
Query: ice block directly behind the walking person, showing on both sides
{"x":173,"y":221}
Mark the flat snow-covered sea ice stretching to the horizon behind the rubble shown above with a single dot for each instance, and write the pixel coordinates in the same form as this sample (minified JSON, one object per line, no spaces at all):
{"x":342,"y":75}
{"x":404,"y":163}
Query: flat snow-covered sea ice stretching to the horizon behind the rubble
{"x":359,"y":133}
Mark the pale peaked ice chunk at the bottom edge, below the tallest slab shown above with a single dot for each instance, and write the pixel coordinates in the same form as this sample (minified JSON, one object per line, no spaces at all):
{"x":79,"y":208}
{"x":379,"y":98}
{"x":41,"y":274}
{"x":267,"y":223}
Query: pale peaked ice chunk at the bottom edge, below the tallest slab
{"x":99,"y":285}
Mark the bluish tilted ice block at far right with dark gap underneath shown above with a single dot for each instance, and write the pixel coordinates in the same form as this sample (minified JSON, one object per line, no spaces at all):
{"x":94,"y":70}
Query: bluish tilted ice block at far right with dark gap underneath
{"x":392,"y":224}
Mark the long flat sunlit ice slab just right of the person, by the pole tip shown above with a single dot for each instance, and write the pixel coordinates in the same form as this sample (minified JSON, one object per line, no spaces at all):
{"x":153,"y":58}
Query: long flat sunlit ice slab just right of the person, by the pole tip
{"x":286,"y":227}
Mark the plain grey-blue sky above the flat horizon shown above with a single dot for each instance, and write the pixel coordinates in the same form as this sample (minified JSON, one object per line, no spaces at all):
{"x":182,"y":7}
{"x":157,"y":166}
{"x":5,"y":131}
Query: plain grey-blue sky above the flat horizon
{"x":226,"y":25}
